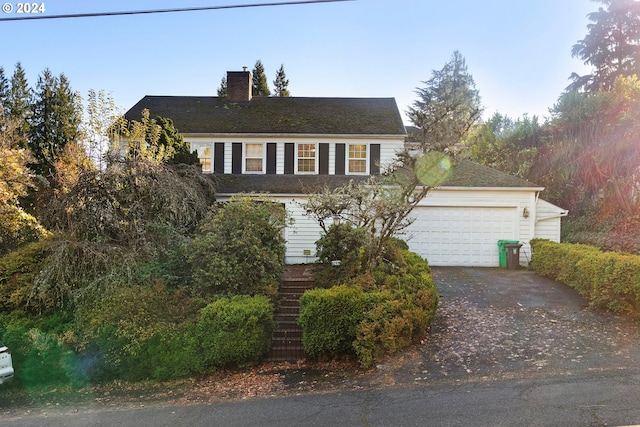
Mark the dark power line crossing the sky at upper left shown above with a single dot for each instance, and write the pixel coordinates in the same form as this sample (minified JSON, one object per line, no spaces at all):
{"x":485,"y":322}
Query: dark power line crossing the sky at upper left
{"x":148,"y":12}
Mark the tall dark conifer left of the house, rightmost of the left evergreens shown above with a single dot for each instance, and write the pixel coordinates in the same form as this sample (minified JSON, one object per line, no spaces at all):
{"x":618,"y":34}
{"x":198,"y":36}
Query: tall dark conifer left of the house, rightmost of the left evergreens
{"x":55,"y":122}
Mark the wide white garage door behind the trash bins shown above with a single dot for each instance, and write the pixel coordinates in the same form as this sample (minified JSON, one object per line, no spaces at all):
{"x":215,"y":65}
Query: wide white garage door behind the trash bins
{"x":460,"y":236}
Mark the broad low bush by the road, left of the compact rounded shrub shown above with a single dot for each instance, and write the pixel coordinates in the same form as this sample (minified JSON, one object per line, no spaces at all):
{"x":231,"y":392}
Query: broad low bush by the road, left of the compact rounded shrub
{"x":121,"y":332}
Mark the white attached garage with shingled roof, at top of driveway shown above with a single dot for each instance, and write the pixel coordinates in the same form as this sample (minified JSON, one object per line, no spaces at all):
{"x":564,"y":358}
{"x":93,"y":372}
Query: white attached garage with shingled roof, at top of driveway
{"x":460,"y":222}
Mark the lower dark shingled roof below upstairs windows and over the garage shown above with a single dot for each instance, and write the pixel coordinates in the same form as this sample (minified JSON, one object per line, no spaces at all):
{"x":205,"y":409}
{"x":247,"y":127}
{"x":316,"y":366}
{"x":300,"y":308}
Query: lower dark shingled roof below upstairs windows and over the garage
{"x":464,"y":174}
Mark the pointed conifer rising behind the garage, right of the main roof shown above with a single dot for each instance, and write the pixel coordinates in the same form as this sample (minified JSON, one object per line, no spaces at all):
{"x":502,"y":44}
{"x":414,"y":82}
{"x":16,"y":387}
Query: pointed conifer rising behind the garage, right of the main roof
{"x":447,"y":107}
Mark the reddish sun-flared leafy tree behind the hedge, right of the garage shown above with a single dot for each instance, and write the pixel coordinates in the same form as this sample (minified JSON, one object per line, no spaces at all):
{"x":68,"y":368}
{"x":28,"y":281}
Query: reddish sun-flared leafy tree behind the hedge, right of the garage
{"x":593,"y":161}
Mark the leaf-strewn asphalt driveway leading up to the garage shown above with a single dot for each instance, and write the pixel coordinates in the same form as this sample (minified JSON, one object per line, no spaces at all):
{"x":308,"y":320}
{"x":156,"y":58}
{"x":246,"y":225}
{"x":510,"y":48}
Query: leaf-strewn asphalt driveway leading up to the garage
{"x":505,"y":324}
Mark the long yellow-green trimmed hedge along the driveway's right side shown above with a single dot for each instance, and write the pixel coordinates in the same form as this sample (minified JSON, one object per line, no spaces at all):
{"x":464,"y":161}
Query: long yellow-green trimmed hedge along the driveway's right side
{"x":609,"y":280}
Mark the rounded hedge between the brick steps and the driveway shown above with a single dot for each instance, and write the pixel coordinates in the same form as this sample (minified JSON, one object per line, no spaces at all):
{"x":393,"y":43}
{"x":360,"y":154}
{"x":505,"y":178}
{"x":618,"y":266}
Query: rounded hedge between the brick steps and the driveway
{"x":368,"y":317}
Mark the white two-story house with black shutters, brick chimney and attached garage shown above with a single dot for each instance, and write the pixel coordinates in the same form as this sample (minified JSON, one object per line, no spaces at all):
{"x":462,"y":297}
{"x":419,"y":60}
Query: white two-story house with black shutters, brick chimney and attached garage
{"x":288,"y":146}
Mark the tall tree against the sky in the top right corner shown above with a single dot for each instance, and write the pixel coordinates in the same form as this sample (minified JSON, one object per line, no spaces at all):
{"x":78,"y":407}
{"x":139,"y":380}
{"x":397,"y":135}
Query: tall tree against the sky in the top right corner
{"x":610,"y":47}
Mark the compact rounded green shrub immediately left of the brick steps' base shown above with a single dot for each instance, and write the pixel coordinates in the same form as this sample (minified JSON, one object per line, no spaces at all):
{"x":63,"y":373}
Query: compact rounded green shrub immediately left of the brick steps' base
{"x":235,"y":331}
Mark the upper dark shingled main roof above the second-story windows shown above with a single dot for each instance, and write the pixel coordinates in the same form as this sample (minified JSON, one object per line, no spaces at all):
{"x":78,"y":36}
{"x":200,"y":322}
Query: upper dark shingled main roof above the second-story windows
{"x":275,"y":115}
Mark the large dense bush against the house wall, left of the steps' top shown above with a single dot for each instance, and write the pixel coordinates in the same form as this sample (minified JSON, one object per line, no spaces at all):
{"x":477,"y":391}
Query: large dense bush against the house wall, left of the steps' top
{"x":240,"y":248}
